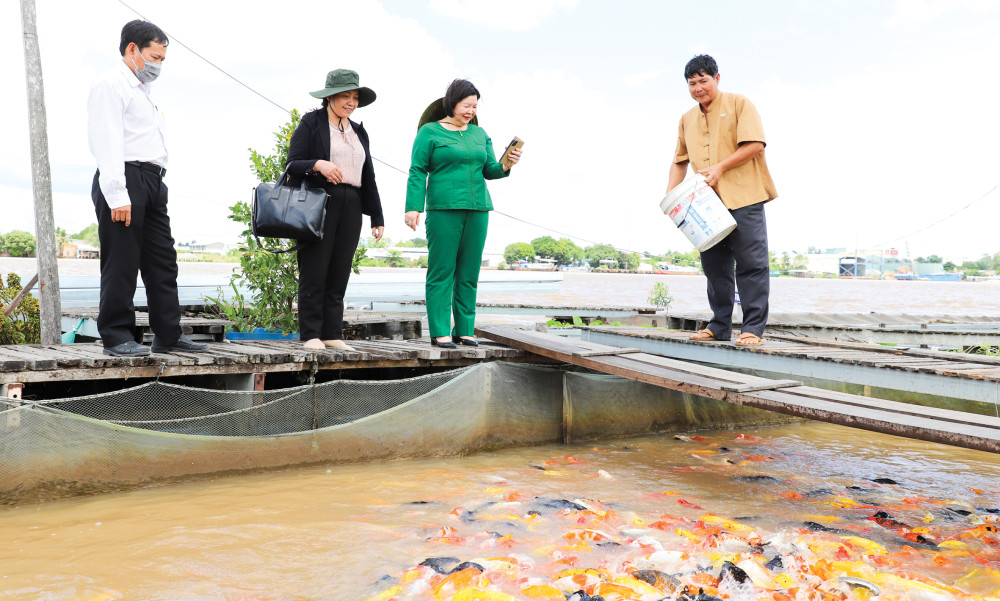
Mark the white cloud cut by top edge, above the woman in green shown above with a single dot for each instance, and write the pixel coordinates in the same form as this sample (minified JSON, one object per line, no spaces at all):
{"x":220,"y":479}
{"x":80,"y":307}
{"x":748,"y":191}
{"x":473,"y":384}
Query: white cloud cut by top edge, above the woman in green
{"x":515,"y":15}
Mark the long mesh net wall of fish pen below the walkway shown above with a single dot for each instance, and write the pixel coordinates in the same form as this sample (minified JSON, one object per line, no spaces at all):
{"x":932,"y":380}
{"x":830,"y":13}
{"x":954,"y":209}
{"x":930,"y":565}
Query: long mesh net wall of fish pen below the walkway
{"x":160,"y":432}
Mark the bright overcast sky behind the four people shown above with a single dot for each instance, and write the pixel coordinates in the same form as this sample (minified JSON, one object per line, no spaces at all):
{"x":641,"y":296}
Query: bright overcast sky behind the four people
{"x":880,"y":117}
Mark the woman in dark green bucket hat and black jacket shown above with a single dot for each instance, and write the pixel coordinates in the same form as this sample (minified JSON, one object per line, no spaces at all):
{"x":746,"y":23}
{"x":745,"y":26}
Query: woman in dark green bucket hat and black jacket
{"x":331,"y":151}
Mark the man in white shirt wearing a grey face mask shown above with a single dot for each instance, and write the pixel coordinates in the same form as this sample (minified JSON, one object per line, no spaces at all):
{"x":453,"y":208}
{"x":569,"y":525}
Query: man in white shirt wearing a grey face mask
{"x":125,"y":129}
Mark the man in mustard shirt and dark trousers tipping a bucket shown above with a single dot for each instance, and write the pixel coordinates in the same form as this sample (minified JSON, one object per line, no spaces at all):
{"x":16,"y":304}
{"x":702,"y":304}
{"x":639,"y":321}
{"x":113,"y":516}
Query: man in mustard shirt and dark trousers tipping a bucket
{"x":723,"y":139}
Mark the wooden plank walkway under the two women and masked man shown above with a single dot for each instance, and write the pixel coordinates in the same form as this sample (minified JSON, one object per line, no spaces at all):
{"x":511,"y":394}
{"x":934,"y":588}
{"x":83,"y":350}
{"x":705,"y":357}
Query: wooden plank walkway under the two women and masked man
{"x":28,"y":363}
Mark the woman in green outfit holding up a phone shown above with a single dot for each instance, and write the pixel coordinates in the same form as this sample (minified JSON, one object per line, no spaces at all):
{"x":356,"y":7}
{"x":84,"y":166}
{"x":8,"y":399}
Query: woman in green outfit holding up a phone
{"x":452,"y":159}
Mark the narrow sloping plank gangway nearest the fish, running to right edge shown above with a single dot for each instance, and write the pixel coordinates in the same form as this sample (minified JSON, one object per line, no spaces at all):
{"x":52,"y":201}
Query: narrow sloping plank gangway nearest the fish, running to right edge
{"x":890,"y":417}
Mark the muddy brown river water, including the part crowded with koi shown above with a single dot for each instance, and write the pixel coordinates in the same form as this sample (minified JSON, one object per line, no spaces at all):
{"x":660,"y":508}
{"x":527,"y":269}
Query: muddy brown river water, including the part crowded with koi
{"x":916,"y":520}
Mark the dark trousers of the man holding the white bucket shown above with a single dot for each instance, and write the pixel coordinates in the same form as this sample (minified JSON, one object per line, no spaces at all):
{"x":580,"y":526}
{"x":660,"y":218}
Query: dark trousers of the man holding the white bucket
{"x":746,"y":247}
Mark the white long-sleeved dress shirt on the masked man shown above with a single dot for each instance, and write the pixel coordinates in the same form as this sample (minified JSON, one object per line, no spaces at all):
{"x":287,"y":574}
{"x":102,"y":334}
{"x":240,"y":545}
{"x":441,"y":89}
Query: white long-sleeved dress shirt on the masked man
{"x":123,"y":124}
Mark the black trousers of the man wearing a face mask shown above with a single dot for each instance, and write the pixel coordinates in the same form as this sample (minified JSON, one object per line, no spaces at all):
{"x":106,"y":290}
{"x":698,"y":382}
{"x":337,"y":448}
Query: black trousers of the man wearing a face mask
{"x":145,"y":246}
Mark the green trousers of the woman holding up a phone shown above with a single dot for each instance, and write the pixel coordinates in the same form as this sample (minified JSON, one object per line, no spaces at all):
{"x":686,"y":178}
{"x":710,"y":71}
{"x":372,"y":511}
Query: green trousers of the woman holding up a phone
{"x":455,"y":241}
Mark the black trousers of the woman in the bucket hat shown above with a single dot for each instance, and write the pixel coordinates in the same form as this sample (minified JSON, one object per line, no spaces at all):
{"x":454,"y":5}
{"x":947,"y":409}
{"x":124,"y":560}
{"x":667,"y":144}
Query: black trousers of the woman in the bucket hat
{"x":325,"y":267}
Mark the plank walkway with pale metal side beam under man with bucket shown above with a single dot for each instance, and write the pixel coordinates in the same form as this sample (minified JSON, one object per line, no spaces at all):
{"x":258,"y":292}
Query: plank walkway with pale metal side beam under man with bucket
{"x":923,"y":371}
